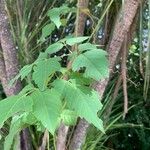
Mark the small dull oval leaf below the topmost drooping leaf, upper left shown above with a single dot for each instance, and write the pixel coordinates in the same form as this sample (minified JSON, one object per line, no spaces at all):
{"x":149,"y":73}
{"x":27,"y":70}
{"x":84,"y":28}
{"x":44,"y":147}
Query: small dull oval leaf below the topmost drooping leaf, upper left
{"x":47,"y":30}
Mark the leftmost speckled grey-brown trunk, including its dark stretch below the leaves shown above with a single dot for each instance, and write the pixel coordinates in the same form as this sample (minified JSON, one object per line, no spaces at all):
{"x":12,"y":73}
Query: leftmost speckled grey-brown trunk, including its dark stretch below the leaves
{"x":9,"y":66}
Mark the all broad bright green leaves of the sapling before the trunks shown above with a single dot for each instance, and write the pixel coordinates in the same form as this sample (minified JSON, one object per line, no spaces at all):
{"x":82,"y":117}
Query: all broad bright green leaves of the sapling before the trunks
{"x":51,"y":99}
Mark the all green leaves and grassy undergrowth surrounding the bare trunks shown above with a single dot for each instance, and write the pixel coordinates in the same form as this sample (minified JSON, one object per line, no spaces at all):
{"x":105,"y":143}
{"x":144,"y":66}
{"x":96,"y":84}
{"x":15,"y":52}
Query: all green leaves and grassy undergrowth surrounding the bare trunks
{"x":45,"y":36}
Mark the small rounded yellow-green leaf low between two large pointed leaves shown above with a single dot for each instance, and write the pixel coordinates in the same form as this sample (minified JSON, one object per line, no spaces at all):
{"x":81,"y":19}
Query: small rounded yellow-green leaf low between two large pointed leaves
{"x":69,"y":117}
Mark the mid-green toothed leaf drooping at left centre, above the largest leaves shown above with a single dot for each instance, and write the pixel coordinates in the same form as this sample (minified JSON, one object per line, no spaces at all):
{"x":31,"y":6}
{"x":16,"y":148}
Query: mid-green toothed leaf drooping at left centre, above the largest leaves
{"x":43,"y":70}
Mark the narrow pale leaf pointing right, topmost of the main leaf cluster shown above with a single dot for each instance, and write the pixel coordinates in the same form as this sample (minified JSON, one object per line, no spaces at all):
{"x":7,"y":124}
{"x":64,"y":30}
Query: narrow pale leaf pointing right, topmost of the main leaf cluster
{"x":76,"y":40}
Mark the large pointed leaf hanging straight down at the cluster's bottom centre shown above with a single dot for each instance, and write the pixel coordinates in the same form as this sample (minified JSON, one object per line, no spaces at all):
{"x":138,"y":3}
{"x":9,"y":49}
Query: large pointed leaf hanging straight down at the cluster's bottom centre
{"x":47,"y":108}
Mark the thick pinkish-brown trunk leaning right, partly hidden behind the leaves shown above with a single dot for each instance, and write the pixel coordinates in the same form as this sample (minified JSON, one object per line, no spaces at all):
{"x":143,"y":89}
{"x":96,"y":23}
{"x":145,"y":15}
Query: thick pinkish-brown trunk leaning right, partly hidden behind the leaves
{"x":121,"y":29}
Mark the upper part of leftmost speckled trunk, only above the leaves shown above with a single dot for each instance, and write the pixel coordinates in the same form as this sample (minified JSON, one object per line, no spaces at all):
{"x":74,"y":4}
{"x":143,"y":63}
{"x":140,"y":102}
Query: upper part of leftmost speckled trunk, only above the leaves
{"x":9,"y":54}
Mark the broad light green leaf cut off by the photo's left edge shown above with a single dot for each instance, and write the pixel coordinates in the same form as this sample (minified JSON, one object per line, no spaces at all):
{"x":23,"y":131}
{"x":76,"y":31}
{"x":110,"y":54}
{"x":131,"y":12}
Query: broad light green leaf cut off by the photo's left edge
{"x":13,"y":105}
